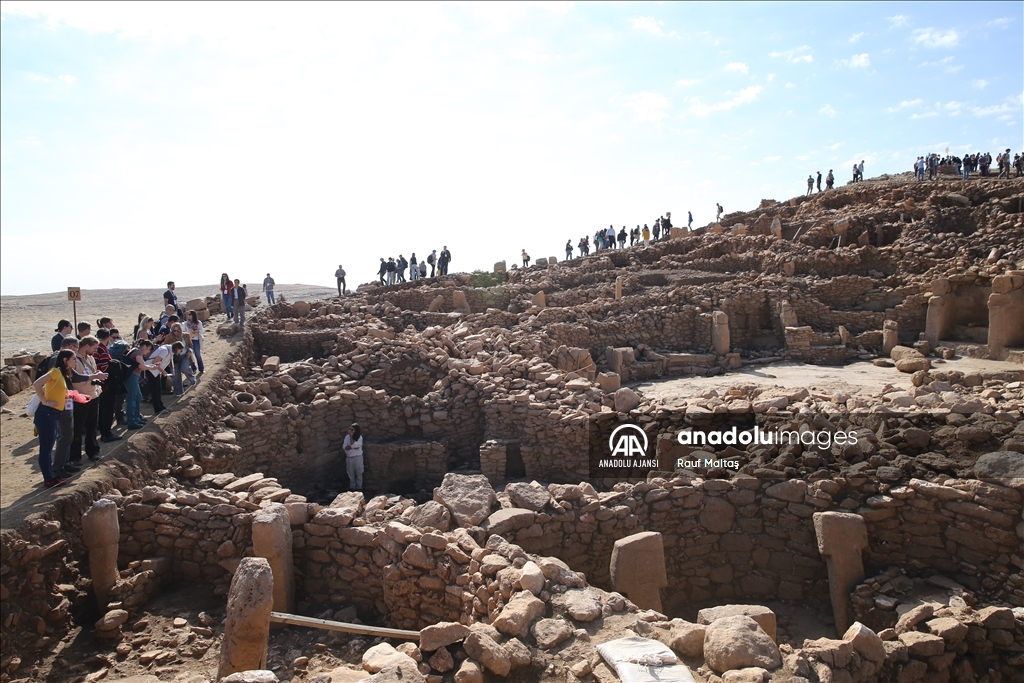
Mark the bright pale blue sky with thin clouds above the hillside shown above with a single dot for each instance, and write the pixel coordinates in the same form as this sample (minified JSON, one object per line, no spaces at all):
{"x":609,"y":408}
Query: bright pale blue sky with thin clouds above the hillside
{"x":150,"y":142}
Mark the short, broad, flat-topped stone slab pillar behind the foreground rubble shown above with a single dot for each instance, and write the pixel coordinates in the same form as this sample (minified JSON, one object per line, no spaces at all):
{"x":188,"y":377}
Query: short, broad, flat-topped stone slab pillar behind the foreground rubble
{"x":638,"y":569}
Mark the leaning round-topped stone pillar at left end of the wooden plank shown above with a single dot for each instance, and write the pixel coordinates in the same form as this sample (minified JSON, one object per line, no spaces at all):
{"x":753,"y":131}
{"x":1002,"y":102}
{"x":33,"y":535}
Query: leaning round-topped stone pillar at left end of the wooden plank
{"x":247,"y":631}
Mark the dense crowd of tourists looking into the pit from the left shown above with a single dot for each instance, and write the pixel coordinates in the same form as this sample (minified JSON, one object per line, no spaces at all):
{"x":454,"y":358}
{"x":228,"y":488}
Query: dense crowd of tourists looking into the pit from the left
{"x":95,"y":381}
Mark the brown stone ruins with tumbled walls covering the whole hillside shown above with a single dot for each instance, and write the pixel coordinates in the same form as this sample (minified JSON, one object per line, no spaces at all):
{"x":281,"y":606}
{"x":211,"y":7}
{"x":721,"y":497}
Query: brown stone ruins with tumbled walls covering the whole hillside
{"x":493,"y":528}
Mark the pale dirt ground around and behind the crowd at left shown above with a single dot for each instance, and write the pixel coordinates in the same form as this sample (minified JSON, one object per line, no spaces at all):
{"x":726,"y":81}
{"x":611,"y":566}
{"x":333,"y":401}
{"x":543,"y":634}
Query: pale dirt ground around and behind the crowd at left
{"x":29,"y":322}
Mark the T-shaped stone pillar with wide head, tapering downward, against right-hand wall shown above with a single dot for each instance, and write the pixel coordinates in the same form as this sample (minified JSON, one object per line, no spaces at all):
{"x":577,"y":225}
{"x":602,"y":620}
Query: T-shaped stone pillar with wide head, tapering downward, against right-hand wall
{"x":841,"y":538}
